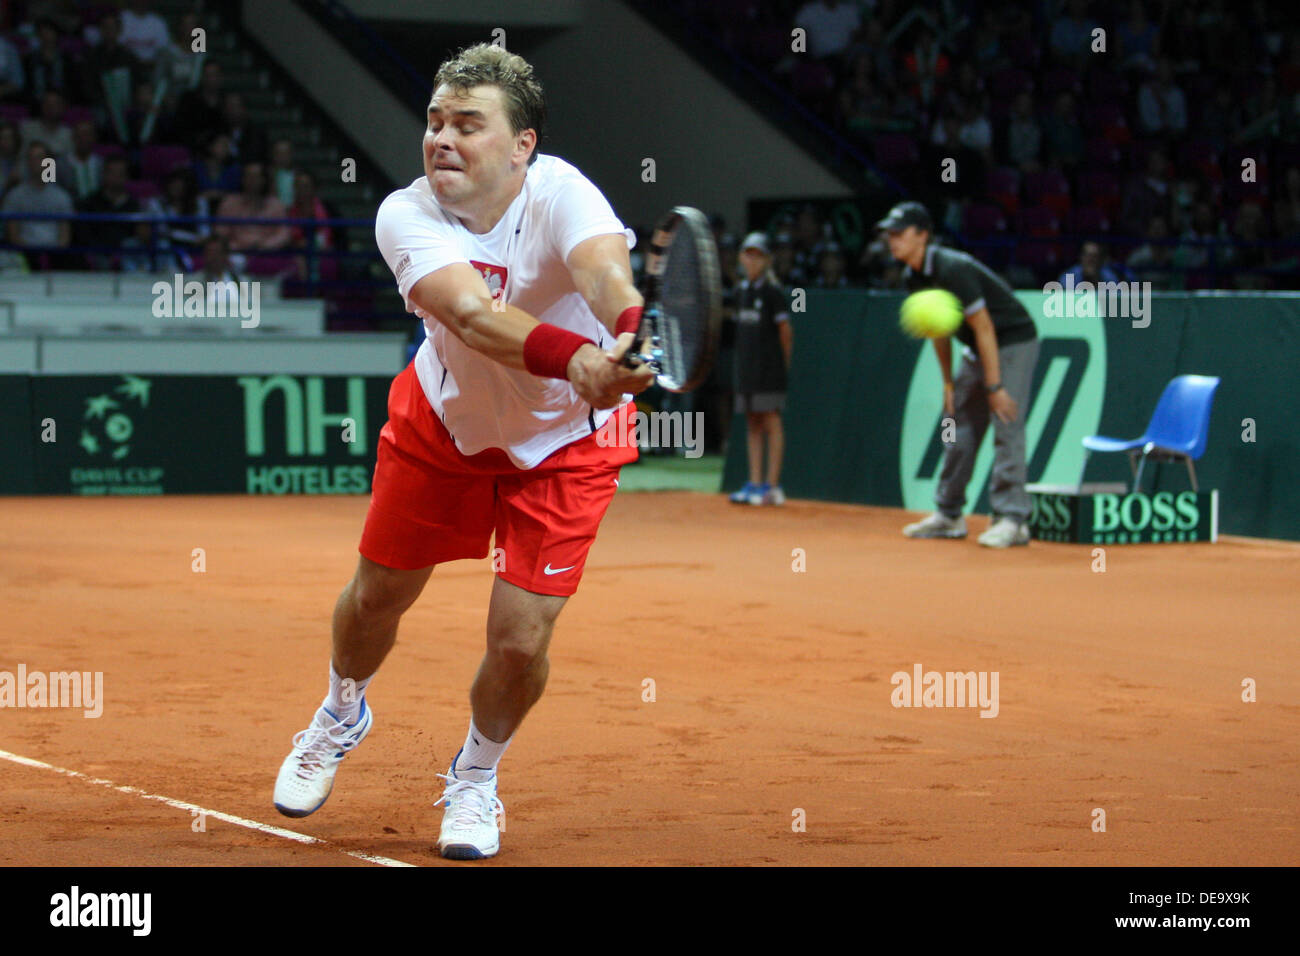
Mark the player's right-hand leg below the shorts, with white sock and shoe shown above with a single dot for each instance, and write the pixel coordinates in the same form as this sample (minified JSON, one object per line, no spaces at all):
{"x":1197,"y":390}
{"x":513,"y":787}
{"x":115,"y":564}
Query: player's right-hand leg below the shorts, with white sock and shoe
{"x":512,"y":678}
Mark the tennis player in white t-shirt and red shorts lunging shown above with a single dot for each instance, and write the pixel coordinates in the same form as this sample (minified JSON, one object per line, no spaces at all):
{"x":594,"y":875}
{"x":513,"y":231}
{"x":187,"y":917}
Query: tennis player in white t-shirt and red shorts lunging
{"x":521,"y":272}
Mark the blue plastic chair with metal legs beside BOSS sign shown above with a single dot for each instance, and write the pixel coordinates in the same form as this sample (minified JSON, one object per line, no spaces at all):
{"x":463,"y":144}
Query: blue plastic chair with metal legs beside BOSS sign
{"x":1178,"y":429}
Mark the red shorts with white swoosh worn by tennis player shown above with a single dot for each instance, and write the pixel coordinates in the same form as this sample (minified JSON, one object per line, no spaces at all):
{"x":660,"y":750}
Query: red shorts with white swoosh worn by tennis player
{"x":431,"y":504}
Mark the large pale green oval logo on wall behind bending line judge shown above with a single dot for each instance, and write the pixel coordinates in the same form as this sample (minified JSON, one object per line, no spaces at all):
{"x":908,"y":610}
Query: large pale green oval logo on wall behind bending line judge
{"x":1071,"y":386}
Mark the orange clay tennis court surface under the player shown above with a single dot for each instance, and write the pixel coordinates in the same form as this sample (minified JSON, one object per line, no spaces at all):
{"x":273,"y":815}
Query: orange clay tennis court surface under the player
{"x":1120,"y":691}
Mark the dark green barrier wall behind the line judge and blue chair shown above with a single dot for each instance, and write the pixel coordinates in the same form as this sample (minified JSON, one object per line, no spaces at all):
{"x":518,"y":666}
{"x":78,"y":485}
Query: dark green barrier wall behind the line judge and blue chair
{"x":863,"y":419}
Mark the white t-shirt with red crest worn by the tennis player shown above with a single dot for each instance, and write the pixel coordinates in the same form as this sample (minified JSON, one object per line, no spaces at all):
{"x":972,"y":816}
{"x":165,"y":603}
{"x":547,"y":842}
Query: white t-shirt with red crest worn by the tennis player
{"x":482,"y":403}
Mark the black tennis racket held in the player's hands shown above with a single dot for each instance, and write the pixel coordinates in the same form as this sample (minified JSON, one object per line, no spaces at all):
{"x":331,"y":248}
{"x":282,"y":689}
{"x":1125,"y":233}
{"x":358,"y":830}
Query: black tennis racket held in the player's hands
{"x":682,"y":321}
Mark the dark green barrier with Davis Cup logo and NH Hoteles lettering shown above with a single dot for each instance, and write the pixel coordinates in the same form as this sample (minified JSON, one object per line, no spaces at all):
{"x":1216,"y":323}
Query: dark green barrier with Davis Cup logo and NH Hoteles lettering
{"x":190,"y":435}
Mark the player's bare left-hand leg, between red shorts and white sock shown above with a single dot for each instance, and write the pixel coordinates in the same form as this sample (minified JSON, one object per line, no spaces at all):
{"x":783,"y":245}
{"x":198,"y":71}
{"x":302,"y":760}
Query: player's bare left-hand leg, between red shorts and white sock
{"x":367,"y":615}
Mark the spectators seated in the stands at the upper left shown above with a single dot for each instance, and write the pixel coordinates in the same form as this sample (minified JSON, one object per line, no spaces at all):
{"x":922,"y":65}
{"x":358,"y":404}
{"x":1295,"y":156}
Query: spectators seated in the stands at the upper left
{"x":107,"y":110}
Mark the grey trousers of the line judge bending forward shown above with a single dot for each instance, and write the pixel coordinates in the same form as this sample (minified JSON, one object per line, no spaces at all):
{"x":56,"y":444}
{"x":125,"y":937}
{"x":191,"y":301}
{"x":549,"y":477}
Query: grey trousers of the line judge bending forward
{"x":1007,"y":492}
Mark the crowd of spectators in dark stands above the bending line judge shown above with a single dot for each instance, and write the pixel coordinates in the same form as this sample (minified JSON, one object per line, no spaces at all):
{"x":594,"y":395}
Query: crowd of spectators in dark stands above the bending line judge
{"x":1134,"y":136}
